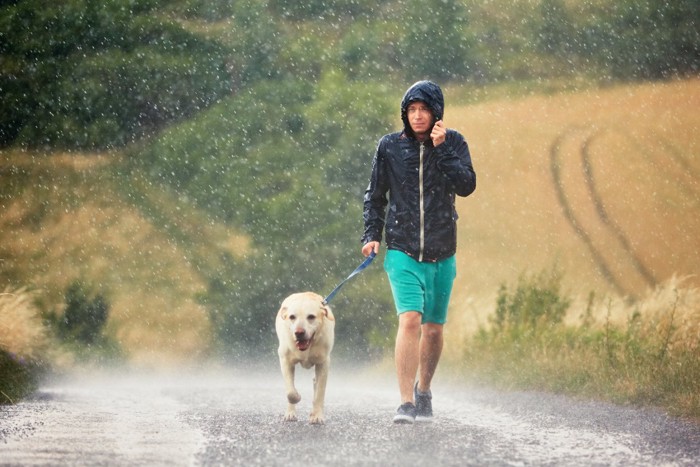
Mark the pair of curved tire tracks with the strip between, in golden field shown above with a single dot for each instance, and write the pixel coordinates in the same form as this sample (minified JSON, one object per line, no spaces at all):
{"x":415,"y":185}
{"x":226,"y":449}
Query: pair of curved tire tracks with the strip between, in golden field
{"x":618,"y":246}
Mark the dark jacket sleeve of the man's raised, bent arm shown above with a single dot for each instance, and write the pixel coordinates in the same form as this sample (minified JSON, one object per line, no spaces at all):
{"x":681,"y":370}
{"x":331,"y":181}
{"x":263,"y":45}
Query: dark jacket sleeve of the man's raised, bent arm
{"x":455,"y":163}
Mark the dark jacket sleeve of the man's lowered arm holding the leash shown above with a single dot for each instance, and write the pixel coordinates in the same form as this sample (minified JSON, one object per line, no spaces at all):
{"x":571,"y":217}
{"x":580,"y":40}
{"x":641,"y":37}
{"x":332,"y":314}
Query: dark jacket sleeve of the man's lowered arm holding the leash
{"x":375,"y":199}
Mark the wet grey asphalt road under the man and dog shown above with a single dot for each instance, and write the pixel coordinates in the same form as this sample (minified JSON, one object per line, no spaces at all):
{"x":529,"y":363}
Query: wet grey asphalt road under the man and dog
{"x":230,"y":417}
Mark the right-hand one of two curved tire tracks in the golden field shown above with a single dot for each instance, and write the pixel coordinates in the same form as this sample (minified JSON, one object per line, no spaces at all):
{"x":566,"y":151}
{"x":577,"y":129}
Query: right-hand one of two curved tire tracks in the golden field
{"x":605,"y":218}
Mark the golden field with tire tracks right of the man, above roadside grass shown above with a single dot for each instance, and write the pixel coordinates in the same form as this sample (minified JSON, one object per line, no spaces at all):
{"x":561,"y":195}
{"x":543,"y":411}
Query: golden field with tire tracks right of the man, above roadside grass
{"x":604,"y":185}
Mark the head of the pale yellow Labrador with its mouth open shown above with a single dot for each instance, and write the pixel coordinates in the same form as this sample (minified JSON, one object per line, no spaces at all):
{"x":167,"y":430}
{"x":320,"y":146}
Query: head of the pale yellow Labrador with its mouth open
{"x":304,"y":315}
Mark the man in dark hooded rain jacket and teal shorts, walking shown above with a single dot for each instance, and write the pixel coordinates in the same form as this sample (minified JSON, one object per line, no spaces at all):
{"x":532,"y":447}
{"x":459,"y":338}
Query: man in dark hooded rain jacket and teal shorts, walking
{"x":421,"y":169}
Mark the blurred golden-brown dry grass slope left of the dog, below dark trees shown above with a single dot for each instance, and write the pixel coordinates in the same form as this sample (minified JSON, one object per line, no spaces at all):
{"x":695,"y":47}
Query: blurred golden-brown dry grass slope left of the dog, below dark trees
{"x":76,"y":221}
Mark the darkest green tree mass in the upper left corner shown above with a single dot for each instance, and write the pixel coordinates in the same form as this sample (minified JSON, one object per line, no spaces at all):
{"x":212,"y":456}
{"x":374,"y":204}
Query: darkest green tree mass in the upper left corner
{"x":89,"y":76}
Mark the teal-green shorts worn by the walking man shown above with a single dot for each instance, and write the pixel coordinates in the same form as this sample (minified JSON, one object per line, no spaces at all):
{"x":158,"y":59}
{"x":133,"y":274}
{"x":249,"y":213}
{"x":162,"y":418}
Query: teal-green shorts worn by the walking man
{"x":421,"y":287}
